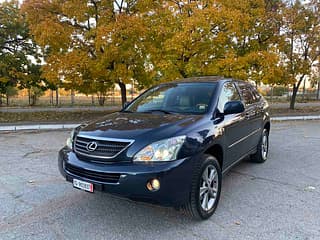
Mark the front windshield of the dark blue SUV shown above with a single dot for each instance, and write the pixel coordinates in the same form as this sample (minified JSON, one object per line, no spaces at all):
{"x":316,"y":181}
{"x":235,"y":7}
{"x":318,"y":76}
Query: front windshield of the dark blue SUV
{"x":185,"y":98}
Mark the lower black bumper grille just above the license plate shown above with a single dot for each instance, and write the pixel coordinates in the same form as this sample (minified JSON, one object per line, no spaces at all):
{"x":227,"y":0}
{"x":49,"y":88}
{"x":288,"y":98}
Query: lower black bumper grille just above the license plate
{"x":91,"y":175}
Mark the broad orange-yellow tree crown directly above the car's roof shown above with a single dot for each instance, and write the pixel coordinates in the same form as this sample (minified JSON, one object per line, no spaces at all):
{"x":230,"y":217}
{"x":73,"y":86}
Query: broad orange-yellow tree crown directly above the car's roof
{"x":229,"y":38}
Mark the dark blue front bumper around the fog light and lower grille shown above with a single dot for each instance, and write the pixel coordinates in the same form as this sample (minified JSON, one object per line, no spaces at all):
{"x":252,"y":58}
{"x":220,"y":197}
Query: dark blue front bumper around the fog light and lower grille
{"x":129,"y":180}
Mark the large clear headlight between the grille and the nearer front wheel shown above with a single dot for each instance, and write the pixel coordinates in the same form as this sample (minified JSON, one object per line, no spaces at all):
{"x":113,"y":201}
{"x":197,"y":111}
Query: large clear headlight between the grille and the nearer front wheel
{"x":161,"y":151}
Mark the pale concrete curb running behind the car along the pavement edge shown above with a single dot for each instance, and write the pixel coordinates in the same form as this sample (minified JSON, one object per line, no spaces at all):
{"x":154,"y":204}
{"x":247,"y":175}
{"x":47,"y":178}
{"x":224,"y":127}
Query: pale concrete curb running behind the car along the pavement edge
{"x":71,"y":126}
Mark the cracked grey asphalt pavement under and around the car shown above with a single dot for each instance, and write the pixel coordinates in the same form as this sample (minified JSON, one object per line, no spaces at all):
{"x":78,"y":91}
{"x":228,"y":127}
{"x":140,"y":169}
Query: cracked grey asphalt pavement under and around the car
{"x":276,"y":200}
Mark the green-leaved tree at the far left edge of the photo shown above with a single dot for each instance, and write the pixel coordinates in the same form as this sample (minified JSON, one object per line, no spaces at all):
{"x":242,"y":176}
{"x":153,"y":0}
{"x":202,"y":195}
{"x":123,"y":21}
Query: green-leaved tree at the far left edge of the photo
{"x":17,"y":49}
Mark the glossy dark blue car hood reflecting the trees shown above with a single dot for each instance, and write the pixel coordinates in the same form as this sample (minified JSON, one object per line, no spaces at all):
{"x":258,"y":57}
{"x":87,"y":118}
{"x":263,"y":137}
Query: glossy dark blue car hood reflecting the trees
{"x":139,"y":125}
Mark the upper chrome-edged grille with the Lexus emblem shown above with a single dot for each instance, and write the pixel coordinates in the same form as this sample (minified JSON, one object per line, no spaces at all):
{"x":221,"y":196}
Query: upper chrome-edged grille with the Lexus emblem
{"x":105,"y":148}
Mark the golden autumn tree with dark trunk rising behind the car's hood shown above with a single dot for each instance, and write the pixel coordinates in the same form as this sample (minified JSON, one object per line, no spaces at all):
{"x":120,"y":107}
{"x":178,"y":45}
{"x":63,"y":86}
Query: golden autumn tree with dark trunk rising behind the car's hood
{"x":123,"y":45}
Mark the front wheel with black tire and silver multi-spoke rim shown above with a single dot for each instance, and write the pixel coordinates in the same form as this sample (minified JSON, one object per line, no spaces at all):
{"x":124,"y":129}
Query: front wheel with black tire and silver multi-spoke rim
{"x":202,"y":207}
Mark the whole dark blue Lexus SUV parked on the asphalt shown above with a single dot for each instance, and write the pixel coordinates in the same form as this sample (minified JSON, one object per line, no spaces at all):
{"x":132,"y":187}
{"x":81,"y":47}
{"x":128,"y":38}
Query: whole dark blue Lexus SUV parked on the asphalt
{"x":171,"y":145}
